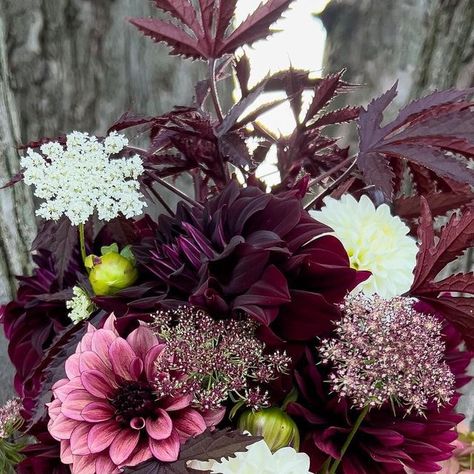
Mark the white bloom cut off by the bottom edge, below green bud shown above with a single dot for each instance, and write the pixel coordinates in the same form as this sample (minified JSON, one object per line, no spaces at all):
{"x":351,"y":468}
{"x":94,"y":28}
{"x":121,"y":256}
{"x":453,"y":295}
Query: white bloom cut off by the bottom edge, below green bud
{"x":258,"y":459}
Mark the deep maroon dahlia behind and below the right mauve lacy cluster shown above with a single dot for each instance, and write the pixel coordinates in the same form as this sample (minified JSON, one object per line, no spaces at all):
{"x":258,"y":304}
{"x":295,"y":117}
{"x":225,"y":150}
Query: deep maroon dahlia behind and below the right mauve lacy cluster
{"x":384,"y":443}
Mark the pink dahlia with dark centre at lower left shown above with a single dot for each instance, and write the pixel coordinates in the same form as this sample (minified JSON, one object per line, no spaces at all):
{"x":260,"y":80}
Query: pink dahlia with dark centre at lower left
{"x":106,"y":413}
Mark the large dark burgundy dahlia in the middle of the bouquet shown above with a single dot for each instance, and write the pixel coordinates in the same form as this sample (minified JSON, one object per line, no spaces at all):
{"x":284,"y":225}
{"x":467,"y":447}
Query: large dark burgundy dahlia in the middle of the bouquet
{"x":246,"y":250}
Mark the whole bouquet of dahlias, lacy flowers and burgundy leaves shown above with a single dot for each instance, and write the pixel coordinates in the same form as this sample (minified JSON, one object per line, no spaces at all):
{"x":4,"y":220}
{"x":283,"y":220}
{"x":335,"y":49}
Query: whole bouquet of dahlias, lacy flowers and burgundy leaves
{"x":310,"y":327}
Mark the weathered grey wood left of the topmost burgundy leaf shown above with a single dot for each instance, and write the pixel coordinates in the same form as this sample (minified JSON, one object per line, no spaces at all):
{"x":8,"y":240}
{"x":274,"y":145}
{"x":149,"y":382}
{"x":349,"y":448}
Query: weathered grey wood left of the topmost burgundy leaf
{"x":70,"y":65}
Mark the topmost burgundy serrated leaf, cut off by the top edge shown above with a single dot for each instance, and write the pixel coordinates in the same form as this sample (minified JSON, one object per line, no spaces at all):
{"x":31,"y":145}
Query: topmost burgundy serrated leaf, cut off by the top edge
{"x":203,"y":32}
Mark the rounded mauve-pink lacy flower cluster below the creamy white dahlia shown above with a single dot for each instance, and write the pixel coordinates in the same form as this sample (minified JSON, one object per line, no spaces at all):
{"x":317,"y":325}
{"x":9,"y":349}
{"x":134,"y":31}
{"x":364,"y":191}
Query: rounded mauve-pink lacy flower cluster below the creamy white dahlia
{"x":384,"y":351}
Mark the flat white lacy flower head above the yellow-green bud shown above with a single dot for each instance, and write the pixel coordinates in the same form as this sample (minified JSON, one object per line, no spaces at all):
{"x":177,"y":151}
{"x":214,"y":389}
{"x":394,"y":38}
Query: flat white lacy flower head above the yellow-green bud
{"x":77,"y":180}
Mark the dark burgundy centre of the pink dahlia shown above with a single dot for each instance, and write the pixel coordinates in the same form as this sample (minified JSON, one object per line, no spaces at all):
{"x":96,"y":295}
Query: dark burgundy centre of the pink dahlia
{"x":133,"y":400}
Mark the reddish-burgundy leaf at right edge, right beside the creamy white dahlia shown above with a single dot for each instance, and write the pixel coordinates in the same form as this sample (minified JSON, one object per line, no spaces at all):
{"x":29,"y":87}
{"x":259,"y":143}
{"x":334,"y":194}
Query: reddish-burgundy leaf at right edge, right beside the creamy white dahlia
{"x":452,"y":296}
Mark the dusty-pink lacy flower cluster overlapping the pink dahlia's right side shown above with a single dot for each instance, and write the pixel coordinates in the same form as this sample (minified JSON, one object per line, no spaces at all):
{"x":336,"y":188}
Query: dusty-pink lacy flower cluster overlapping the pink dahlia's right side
{"x":213,"y":359}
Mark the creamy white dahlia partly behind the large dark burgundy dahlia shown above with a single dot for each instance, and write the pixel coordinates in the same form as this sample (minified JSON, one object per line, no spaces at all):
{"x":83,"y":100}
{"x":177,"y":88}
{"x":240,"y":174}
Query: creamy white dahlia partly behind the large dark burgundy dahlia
{"x":375,"y":241}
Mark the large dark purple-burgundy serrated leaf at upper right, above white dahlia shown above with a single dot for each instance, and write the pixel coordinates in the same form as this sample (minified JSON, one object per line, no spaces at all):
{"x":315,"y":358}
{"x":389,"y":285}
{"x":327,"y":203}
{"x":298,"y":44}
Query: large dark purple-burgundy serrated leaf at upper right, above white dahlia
{"x":432,"y":135}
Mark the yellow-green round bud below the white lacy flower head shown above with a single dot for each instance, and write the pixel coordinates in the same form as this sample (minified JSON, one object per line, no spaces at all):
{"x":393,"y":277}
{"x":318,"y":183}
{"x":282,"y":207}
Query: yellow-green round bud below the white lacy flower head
{"x":111,"y":272}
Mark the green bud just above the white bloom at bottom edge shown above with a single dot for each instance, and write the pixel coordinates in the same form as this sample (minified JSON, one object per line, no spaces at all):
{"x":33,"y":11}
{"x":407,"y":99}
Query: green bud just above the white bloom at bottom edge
{"x":276,"y":427}
